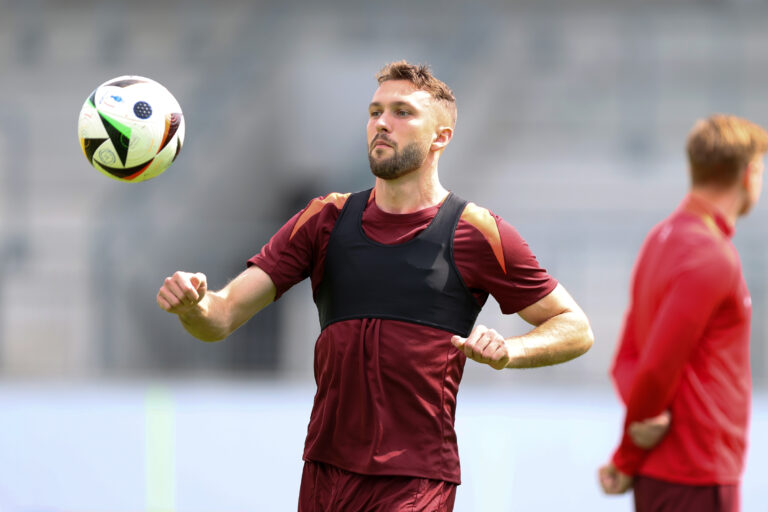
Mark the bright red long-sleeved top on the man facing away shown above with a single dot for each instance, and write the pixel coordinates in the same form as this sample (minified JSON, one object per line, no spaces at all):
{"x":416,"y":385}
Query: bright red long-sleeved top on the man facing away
{"x":685,"y":348}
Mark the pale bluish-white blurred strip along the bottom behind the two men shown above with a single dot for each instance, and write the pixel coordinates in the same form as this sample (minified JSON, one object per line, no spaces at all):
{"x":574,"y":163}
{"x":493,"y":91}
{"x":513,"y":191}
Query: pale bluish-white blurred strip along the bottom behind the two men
{"x":219,"y":446}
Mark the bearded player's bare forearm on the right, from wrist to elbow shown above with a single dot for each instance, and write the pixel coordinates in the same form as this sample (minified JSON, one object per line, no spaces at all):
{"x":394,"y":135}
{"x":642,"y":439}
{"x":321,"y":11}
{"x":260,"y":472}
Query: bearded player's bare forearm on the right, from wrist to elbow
{"x":557,"y":340}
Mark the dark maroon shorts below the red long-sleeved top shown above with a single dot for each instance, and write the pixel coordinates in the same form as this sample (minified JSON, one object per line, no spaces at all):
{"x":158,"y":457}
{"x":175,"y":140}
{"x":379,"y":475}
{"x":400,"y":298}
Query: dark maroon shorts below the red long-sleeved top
{"x":653,"y":495}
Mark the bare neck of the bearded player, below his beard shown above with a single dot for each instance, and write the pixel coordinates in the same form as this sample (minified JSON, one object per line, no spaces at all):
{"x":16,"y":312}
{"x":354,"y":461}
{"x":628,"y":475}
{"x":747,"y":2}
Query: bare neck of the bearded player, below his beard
{"x":413,"y":192}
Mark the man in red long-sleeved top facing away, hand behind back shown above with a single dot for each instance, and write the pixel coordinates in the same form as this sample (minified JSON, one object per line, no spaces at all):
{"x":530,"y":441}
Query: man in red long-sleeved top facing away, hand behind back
{"x":682,"y":365}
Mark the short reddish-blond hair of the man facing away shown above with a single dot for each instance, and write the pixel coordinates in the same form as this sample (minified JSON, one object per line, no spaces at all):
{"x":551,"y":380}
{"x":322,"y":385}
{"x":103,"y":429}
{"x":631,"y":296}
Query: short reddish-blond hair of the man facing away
{"x":721,"y":146}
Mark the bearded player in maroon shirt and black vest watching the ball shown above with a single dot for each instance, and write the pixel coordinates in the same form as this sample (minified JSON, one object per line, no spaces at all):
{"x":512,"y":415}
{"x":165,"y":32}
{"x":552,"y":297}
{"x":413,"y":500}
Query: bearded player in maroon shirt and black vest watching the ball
{"x":398,"y":274}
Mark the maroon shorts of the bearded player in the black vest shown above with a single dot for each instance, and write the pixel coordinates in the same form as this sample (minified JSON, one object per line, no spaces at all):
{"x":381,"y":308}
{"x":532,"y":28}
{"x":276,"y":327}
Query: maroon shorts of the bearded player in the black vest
{"x":326,"y":488}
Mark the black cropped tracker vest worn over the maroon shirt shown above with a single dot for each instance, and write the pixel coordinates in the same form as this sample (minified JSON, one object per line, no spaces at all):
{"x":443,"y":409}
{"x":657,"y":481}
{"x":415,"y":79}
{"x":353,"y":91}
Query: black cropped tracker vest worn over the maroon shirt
{"x":414,"y":281}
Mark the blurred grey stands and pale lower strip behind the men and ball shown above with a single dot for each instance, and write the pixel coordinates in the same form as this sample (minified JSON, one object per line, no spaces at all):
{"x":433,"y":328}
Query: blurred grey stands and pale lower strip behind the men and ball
{"x":572,"y":122}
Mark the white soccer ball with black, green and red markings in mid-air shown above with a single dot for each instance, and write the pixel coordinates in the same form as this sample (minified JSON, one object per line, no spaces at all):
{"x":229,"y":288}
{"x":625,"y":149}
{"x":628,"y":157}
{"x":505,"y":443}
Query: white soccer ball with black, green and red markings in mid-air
{"x":131,"y":128}
